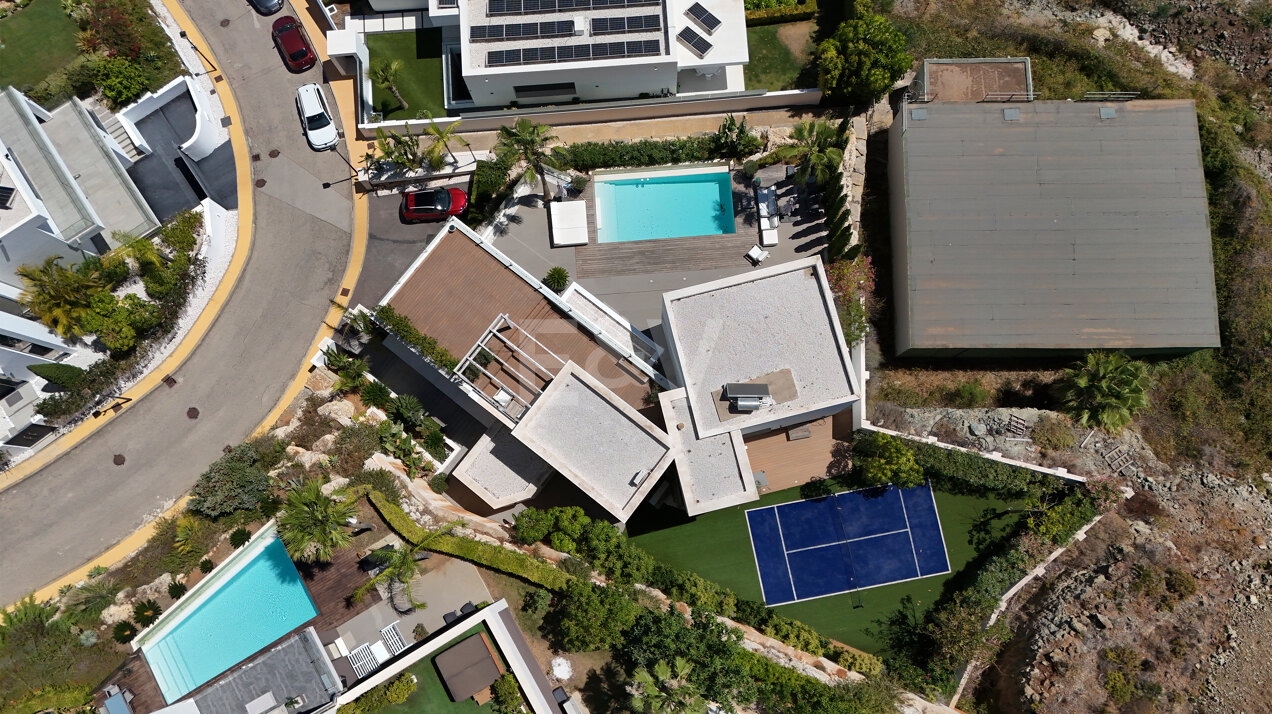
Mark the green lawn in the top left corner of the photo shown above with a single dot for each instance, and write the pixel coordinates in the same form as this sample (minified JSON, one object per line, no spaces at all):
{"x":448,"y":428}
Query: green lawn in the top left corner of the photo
{"x":38,"y":41}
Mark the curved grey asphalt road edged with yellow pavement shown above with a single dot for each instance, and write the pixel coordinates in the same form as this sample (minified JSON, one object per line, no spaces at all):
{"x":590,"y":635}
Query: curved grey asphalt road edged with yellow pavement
{"x":82,"y":505}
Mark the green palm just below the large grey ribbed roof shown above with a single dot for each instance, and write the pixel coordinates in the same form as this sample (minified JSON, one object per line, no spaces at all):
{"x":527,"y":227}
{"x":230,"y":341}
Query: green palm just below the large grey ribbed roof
{"x":1107,"y":391}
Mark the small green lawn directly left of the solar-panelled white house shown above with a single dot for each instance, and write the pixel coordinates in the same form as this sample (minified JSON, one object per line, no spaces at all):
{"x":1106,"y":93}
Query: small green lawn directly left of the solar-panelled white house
{"x":420,"y":80}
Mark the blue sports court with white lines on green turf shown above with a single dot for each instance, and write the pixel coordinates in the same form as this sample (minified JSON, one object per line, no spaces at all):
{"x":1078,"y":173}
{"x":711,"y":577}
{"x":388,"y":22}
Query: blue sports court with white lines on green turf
{"x":847,"y":543}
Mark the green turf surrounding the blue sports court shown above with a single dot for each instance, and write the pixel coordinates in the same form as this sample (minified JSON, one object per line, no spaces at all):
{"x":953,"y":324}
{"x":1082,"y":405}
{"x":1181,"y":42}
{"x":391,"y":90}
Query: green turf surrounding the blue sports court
{"x":718,"y":548}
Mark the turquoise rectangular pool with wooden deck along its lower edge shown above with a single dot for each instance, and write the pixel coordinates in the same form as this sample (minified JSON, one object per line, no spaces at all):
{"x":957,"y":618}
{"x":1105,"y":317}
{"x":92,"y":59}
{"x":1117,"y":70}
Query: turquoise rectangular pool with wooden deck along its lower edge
{"x":665,"y":207}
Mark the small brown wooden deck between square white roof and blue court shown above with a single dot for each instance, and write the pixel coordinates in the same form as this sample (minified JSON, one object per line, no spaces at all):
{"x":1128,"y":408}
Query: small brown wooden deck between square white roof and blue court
{"x":789,"y":464}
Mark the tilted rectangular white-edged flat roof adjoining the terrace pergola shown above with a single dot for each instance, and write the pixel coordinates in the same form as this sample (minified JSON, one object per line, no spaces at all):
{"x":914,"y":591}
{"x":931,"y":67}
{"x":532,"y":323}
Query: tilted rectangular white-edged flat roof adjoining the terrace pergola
{"x":597,"y":441}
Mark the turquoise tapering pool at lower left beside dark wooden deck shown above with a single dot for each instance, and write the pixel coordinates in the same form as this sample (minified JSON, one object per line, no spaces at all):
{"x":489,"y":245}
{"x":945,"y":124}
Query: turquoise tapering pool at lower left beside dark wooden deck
{"x":254,"y":608}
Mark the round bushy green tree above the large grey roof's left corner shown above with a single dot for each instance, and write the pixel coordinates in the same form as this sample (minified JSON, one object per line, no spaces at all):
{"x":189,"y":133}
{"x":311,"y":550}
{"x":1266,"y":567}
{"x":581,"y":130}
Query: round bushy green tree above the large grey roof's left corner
{"x":862,"y":60}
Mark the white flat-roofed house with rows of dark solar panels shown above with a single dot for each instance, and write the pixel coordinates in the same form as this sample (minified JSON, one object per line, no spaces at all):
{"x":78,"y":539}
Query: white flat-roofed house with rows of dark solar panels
{"x":553,"y":52}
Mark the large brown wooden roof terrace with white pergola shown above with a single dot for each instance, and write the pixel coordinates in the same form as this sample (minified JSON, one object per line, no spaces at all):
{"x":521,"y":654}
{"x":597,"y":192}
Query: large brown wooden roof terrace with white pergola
{"x":457,"y":293}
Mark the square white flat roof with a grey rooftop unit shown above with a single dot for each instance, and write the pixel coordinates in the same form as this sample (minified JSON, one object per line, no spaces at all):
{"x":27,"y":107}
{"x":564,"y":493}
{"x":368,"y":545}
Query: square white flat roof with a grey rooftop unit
{"x":777,"y":325}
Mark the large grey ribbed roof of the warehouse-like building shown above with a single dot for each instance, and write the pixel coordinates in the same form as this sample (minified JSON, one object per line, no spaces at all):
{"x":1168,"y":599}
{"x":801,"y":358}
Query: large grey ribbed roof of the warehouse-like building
{"x":1054,"y":226}
